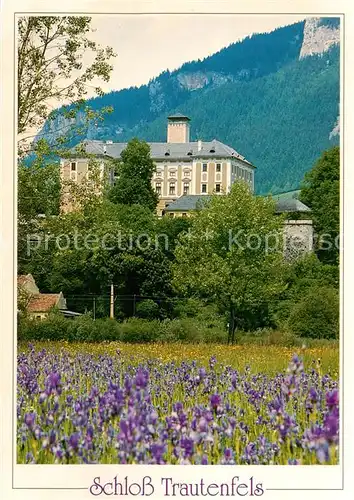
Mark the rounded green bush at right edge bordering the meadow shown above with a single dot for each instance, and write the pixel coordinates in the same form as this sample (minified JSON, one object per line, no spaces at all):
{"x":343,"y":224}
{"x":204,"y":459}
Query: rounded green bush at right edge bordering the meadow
{"x":316,"y":315}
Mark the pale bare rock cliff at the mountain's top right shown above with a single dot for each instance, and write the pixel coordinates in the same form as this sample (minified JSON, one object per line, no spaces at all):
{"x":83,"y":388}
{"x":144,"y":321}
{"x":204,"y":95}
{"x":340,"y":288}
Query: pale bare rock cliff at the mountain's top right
{"x":318,"y":37}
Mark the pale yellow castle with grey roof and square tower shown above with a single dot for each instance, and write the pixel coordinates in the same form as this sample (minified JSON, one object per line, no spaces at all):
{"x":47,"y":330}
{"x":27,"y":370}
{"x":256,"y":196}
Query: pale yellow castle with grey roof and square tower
{"x":182,"y":167}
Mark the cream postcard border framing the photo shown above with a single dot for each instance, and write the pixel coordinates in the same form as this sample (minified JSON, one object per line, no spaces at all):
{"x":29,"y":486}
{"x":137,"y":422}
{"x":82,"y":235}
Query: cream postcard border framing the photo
{"x":81,"y":476}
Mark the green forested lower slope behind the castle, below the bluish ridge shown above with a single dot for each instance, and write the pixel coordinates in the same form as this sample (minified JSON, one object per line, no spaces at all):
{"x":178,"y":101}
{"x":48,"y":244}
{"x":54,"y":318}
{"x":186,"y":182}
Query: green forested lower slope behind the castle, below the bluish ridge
{"x":280,"y":122}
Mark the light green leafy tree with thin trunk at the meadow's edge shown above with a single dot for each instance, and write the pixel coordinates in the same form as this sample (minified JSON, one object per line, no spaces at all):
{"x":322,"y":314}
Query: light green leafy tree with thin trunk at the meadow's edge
{"x":228,"y":253}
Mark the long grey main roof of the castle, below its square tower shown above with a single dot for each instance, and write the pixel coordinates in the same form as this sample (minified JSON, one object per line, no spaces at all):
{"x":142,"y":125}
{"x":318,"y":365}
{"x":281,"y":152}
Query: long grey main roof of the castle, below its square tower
{"x":169,"y":150}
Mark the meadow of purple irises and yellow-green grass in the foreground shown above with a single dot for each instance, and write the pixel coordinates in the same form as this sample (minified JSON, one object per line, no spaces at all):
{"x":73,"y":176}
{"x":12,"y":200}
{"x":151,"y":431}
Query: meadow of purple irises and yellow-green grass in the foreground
{"x":176,"y":404}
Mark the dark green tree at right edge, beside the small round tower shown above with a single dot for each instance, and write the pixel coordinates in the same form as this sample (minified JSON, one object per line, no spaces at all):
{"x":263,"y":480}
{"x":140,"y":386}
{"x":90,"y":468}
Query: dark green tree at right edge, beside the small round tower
{"x":321,"y":191}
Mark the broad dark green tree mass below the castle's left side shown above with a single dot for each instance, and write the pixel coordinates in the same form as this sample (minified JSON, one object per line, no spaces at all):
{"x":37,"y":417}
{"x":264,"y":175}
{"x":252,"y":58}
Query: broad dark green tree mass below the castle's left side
{"x":109,"y":243}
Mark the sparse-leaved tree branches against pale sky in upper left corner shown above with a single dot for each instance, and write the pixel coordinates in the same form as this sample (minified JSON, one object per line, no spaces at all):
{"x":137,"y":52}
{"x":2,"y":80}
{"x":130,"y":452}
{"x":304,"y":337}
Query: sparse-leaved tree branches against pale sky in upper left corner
{"x":51,"y":70}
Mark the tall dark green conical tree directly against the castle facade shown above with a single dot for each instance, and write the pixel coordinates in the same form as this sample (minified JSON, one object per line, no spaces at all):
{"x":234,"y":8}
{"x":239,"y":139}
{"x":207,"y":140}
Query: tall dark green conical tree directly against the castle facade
{"x":133,"y":186}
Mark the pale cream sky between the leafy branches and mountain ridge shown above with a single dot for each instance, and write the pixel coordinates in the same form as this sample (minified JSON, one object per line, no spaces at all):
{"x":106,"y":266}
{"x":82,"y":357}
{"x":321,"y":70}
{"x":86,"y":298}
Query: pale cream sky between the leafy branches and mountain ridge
{"x":146,"y":45}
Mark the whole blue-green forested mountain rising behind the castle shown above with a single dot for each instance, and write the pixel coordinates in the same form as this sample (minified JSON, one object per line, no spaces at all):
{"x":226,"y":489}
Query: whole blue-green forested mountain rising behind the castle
{"x":274,"y":97}
